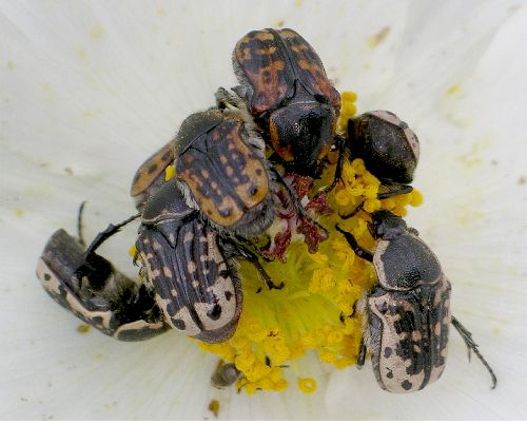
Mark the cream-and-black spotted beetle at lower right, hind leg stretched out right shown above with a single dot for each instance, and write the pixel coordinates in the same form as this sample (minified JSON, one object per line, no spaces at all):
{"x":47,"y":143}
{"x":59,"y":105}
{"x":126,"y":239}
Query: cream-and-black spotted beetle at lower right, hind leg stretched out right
{"x":407,"y":313}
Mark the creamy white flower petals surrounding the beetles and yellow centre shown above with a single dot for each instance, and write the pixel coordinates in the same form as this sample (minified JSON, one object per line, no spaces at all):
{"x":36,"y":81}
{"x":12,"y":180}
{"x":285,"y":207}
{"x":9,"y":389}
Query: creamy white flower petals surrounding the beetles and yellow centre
{"x":89,"y":90}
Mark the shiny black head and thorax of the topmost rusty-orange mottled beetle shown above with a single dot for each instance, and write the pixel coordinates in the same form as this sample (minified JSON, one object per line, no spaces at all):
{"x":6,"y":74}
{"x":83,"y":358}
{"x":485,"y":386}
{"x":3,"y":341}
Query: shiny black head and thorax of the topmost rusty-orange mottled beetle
{"x":301,"y":133}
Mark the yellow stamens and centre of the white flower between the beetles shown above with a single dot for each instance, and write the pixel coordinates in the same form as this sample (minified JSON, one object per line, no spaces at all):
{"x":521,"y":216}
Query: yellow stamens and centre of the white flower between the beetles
{"x":315,"y":311}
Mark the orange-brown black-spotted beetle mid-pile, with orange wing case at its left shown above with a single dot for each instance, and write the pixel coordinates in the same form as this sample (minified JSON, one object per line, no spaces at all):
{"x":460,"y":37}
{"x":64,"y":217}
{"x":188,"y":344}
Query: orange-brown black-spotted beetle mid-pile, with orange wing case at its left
{"x":219,"y":160}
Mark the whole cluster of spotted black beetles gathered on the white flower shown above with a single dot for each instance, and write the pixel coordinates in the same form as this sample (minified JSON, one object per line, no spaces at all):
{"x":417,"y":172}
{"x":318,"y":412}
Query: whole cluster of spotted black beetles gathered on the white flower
{"x":240,"y":165}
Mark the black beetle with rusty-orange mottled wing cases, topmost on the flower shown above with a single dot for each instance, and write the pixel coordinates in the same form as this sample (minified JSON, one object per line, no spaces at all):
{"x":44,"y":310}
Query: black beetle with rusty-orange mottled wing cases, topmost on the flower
{"x":285,"y":86}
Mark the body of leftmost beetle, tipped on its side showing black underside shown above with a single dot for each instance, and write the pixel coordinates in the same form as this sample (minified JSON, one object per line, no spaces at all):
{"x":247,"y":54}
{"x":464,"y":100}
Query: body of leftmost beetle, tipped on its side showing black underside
{"x":96,"y":293}
